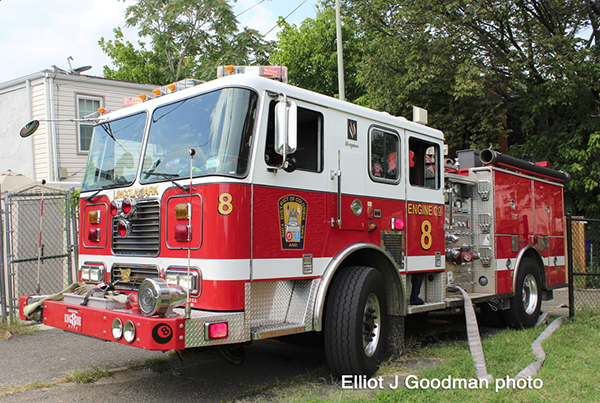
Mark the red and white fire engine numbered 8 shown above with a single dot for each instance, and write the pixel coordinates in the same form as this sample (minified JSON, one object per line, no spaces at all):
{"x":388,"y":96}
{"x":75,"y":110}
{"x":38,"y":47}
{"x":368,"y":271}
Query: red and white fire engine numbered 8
{"x":244,"y":208}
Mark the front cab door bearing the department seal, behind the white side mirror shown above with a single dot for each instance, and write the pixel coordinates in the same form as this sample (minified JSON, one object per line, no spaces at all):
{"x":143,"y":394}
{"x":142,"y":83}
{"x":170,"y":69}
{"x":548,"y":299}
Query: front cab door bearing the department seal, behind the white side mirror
{"x":289,"y":215}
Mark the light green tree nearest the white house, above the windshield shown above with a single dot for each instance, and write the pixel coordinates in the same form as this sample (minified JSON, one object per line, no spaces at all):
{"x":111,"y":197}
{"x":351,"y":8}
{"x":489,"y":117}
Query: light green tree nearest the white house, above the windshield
{"x":186,"y":38}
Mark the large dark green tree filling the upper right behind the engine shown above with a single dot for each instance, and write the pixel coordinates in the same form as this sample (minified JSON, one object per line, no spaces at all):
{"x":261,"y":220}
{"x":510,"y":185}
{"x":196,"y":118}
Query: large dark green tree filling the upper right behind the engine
{"x":518,"y":75}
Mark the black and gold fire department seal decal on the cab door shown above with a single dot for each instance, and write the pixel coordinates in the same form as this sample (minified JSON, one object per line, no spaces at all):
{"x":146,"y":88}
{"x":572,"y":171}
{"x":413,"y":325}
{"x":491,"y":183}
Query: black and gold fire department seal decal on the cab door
{"x":292,"y":221}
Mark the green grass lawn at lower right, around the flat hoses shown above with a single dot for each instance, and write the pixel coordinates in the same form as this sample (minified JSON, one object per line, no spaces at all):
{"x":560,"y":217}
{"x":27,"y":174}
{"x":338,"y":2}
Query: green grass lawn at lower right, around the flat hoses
{"x":569,"y":373}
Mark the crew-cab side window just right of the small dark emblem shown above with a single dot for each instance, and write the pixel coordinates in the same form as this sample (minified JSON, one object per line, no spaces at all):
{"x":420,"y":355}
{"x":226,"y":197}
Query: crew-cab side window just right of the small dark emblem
{"x":384,"y":159}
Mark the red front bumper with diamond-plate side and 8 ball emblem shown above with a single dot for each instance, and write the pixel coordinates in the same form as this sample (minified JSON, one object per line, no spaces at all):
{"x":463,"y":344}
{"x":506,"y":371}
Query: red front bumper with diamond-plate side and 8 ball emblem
{"x":151,"y":333}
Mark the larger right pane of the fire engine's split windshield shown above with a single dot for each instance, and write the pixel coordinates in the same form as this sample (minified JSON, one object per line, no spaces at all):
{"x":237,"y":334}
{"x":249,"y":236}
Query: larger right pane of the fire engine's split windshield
{"x":217,"y":125}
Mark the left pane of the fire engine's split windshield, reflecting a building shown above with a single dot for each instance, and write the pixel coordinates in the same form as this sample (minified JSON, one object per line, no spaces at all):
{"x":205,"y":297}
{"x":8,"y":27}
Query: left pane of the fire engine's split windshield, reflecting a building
{"x":114,"y":153}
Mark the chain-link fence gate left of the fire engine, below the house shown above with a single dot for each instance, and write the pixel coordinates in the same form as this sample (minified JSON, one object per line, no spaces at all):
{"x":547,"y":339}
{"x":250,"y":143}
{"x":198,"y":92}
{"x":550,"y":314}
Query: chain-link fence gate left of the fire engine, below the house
{"x":38,"y":241}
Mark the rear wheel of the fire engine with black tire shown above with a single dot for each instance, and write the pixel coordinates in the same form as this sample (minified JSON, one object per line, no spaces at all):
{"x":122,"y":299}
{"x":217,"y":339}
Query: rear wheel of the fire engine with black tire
{"x":526,"y":305}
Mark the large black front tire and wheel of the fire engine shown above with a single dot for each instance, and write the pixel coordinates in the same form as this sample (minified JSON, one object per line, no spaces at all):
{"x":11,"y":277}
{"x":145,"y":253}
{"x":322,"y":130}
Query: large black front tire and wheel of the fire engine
{"x":355,"y":322}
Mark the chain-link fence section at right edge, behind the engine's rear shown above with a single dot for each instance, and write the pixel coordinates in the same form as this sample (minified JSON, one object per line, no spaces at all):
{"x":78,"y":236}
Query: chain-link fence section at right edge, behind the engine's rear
{"x":583,"y":246}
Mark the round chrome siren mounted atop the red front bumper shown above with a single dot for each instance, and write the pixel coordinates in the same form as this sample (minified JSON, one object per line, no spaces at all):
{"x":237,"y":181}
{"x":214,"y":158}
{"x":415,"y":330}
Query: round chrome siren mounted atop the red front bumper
{"x":156,"y":296}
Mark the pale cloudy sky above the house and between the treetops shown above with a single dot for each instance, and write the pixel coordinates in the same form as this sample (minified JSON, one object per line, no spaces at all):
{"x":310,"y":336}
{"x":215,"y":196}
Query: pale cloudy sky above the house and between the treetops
{"x":38,"y":34}
